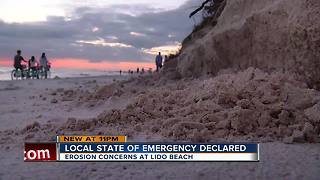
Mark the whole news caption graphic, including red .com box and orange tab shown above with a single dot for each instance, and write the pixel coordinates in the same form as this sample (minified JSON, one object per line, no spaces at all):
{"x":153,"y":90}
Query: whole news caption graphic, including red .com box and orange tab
{"x":116,"y":148}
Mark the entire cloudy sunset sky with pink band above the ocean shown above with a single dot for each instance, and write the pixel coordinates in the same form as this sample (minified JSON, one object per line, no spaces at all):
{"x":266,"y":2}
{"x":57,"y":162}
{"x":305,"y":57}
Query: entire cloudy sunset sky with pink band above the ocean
{"x":95,"y":34}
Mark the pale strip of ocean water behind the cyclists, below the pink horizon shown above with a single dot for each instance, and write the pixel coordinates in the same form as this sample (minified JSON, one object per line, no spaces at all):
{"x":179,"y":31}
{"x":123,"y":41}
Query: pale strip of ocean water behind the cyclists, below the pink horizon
{"x":5,"y":73}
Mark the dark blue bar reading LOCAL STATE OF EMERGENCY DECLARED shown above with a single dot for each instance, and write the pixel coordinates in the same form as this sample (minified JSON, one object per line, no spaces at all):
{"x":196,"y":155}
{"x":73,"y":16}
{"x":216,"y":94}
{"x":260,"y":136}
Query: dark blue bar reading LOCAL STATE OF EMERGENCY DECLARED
{"x":156,"y":148}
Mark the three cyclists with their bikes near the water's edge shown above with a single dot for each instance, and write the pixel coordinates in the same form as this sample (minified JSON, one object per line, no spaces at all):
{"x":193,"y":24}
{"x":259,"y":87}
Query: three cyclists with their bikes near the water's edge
{"x":33,"y":66}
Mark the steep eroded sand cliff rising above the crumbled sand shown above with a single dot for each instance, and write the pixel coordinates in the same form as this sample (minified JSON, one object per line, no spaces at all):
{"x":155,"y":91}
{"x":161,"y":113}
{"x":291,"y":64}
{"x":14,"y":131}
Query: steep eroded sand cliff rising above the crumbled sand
{"x":273,"y":35}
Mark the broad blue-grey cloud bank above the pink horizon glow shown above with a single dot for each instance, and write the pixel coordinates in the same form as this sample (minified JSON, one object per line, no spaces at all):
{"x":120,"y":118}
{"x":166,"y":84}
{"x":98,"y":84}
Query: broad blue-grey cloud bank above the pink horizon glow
{"x":100,"y":34}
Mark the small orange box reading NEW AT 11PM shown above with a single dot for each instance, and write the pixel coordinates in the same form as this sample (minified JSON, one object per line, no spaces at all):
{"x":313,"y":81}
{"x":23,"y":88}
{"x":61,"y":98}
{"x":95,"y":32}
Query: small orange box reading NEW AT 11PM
{"x":92,"y":139}
